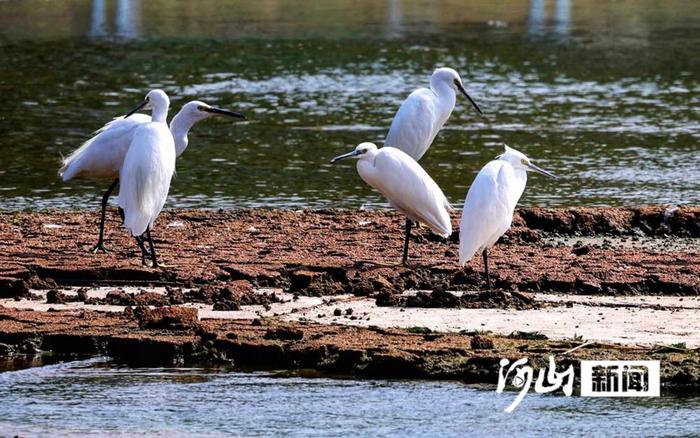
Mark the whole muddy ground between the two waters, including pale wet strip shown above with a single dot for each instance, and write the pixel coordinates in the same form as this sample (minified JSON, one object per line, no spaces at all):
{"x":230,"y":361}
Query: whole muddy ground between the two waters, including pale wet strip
{"x":239,"y":287}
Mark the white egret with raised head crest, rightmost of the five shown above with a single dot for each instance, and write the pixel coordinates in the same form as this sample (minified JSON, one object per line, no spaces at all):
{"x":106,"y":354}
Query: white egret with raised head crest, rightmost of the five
{"x":491,"y":200}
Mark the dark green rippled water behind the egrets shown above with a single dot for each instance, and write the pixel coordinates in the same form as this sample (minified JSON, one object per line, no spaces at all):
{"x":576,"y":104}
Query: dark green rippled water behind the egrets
{"x":605,"y":94}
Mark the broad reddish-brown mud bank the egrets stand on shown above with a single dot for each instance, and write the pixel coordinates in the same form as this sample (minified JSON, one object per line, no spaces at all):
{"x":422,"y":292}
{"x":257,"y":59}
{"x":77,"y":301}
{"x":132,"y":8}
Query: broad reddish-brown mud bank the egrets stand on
{"x":650,"y":250}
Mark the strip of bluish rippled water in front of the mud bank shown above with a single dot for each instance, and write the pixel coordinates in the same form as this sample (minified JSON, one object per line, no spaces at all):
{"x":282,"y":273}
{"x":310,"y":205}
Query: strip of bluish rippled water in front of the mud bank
{"x":96,"y":398}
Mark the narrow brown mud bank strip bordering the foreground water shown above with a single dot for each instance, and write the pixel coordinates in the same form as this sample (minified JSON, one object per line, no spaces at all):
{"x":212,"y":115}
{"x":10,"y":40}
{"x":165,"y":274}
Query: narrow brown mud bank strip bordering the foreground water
{"x":174,"y":336}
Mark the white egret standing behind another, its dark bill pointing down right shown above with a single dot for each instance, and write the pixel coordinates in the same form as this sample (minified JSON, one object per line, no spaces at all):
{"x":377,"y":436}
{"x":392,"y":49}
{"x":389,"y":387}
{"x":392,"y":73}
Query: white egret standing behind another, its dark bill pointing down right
{"x":424,"y":112}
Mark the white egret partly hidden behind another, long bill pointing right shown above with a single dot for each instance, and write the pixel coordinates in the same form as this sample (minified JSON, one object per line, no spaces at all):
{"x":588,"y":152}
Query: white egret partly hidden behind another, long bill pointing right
{"x":103,"y":155}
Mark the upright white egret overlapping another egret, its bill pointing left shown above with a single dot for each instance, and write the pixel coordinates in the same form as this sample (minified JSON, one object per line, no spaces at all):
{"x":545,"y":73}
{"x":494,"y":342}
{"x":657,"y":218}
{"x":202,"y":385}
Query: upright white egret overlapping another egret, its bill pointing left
{"x":145,"y":176}
